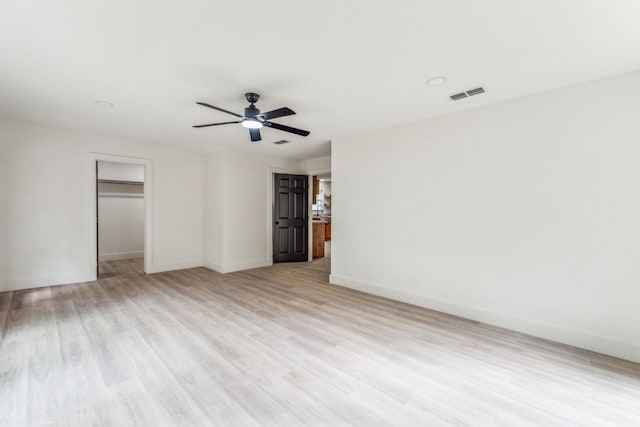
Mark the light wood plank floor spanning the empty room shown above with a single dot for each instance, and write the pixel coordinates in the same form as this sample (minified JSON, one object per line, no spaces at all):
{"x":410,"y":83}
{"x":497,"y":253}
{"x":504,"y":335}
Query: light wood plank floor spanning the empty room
{"x":280,"y":346}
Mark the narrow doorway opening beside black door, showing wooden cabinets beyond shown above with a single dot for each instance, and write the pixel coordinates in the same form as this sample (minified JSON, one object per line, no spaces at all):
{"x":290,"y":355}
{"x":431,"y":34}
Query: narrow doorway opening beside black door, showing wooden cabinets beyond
{"x":321,"y":215}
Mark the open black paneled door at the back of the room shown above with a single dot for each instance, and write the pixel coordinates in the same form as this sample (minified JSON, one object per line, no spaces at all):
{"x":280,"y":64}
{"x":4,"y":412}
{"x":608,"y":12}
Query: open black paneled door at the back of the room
{"x":290,"y":219}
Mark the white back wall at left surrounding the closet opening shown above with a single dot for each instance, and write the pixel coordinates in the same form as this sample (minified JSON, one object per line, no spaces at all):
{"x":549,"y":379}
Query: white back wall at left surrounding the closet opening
{"x":44,"y":217}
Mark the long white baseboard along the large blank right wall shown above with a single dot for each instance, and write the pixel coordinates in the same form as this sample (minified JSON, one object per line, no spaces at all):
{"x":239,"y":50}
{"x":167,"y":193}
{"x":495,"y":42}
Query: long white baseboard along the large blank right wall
{"x":612,"y":347}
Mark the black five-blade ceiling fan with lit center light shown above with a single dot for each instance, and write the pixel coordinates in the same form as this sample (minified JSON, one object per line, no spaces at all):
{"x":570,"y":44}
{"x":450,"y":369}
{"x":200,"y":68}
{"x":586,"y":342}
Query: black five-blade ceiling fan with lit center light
{"x":254,"y":120}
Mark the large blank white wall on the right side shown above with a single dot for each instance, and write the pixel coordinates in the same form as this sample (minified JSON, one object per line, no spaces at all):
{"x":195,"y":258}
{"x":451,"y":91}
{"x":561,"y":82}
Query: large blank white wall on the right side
{"x":523,"y":214}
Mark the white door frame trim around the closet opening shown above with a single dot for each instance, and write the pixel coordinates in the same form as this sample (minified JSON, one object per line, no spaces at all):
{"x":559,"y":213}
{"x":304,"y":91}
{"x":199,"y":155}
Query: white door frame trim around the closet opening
{"x":148,"y":203}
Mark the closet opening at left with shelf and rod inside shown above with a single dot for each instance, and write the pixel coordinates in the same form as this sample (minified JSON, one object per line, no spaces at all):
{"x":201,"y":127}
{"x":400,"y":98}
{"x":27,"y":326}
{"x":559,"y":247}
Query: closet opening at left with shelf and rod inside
{"x":120,"y":218}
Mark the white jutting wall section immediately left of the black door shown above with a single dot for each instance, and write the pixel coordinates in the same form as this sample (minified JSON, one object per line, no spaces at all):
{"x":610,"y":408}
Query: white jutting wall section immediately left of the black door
{"x":239,"y":196}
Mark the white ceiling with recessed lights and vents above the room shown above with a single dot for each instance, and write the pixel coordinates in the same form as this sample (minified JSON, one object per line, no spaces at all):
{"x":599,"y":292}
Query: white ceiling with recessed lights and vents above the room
{"x":344,"y":66}
